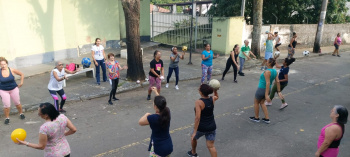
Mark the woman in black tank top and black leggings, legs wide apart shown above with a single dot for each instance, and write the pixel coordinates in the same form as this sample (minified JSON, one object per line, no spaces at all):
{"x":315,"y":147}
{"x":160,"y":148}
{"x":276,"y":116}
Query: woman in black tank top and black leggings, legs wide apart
{"x":232,"y":62}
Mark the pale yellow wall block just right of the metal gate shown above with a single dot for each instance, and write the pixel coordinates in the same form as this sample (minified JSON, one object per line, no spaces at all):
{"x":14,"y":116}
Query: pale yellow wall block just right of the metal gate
{"x":226,"y":33}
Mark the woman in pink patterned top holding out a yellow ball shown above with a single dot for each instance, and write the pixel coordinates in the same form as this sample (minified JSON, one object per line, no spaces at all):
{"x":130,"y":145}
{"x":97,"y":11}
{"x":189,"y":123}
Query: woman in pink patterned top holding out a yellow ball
{"x":52,"y":134}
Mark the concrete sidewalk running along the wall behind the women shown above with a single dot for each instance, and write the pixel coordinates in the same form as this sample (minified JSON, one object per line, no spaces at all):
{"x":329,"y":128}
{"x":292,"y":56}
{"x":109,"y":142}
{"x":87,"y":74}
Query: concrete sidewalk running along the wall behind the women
{"x":81,"y":88}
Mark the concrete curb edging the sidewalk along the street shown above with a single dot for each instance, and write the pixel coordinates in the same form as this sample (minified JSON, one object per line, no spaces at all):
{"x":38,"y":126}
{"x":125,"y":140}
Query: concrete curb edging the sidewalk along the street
{"x":133,"y":85}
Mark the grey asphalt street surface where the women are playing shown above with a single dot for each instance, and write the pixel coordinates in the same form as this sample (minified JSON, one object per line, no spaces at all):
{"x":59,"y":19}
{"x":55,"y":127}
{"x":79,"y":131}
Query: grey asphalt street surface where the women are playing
{"x":316,"y":84}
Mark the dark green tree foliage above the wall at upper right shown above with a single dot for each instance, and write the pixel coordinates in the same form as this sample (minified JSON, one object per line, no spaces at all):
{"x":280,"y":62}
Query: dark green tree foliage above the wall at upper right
{"x":287,"y":12}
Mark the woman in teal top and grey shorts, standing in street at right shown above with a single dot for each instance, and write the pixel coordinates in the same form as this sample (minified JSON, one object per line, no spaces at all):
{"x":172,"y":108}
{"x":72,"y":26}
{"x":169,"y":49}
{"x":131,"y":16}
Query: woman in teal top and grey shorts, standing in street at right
{"x":262,"y":93}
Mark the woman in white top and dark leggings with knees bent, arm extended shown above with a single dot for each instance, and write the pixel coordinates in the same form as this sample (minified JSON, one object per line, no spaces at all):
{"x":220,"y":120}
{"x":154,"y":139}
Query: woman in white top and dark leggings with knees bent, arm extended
{"x":58,"y":74}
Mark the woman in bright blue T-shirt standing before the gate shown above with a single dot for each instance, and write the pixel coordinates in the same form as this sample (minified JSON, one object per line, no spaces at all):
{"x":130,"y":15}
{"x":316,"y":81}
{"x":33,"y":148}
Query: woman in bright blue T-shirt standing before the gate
{"x":207,"y":63}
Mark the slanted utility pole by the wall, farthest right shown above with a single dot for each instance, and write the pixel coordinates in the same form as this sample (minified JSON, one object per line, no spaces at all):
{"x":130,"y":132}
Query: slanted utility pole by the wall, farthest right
{"x":320,"y":25}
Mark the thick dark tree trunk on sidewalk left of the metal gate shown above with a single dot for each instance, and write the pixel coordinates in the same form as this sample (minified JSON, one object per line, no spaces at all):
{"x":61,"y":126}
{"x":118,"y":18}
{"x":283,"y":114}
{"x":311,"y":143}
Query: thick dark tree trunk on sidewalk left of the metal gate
{"x":132,"y":22}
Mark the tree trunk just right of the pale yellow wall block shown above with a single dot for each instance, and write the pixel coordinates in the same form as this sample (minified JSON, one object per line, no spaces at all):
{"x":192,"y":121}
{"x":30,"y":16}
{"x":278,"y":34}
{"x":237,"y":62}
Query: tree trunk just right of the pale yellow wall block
{"x":257,"y":23}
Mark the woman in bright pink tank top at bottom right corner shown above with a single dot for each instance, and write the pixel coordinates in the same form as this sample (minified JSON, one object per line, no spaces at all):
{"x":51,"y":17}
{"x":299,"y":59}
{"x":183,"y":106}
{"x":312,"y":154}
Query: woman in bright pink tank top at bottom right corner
{"x":331,"y":134}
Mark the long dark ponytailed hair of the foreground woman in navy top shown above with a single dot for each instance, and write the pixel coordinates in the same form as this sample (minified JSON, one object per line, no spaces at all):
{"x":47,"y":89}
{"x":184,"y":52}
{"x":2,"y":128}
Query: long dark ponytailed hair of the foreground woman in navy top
{"x":164,"y":111}
